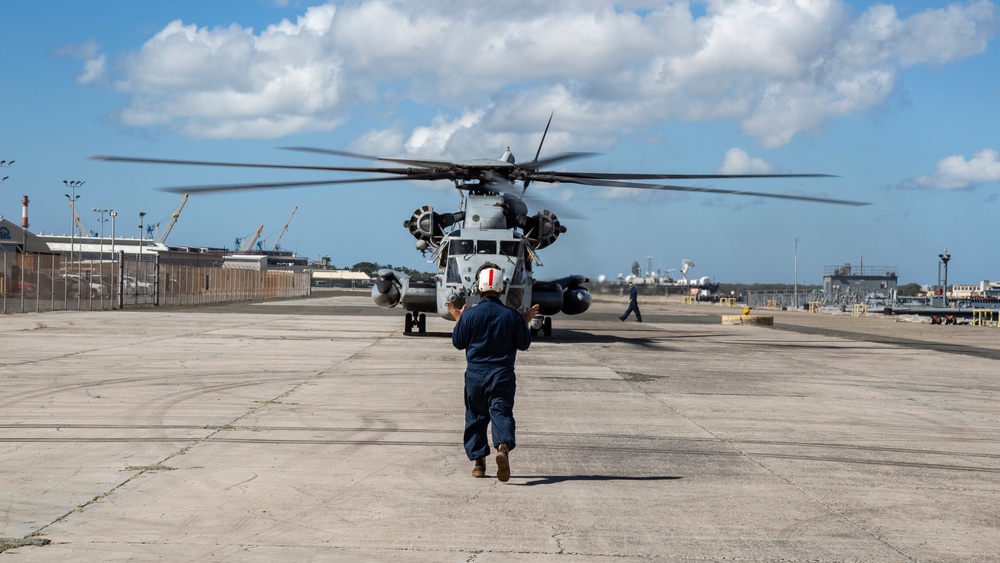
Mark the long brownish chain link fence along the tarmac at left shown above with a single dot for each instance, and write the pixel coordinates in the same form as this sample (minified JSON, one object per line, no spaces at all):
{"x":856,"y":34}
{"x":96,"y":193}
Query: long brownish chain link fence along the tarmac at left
{"x":32,"y":282}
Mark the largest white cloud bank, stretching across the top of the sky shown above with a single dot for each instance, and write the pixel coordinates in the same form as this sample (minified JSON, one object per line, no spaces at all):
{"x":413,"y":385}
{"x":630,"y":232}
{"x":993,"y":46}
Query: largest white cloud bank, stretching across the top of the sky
{"x":777,"y":67}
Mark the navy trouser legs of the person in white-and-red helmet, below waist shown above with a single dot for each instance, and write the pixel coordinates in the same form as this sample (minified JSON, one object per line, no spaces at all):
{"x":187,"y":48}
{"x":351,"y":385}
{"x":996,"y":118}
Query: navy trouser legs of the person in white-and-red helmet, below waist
{"x":489,"y":397}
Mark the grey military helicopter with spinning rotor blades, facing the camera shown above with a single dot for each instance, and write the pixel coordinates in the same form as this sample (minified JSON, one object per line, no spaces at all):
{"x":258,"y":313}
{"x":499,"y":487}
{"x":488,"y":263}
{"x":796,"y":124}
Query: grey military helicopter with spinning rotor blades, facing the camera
{"x":492,"y":227}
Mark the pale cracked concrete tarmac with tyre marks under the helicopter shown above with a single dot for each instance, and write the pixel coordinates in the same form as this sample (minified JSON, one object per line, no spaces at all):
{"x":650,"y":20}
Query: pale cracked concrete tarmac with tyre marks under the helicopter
{"x":314,"y":430}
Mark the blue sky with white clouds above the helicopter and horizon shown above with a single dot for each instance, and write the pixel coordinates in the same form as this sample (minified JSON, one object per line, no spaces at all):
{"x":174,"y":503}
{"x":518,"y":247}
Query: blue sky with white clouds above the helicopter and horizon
{"x":899,"y":101}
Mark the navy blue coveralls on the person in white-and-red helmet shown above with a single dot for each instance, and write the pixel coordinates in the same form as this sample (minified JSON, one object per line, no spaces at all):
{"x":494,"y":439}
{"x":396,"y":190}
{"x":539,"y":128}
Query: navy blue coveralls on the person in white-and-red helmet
{"x":491,"y":334}
